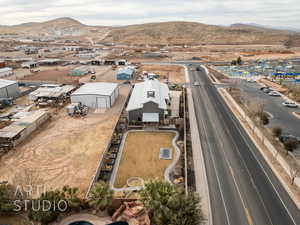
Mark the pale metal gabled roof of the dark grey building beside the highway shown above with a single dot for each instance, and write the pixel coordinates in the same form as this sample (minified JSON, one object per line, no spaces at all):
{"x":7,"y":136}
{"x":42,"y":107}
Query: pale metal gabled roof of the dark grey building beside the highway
{"x":139,"y":95}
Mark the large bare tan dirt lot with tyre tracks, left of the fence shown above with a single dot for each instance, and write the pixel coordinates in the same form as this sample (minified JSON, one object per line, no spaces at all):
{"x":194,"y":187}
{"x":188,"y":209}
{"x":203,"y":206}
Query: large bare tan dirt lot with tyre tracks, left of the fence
{"x":64,"y":151}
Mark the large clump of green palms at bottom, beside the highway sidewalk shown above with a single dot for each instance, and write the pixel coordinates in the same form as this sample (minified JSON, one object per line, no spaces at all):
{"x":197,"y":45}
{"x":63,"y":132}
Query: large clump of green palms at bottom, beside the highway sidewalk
{"x":169,"y":205}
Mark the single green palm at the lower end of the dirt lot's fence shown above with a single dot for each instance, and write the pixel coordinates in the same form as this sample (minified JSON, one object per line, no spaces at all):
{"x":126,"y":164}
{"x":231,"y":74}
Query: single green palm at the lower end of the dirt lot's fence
{"x":101,"y":196}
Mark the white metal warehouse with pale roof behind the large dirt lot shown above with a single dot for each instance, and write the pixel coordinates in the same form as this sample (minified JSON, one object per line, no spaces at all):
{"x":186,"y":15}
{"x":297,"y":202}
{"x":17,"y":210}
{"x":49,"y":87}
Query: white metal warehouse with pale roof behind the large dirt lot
{"x":96,"y":95}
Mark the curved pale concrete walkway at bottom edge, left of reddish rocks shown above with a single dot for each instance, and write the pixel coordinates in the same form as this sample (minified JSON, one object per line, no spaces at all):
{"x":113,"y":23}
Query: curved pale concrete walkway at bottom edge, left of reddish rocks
{"x":95,"y":220}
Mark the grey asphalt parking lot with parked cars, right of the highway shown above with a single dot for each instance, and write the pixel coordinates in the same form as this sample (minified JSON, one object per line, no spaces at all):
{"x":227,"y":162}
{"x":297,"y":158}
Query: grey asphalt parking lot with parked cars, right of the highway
{"x":282,"y":116}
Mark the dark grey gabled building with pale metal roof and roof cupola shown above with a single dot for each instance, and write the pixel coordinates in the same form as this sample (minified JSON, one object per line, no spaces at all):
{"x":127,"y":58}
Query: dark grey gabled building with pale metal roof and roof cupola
{"x":148,"y":102}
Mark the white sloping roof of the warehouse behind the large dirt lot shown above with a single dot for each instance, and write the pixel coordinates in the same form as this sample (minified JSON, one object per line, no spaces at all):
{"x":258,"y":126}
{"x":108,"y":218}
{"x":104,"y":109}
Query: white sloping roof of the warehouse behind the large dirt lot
{"x":96,"y":88}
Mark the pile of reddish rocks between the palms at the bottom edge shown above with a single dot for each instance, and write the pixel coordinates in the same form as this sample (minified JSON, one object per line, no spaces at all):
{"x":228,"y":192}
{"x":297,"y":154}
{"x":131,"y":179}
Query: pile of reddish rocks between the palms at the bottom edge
{"x":132,"y":212}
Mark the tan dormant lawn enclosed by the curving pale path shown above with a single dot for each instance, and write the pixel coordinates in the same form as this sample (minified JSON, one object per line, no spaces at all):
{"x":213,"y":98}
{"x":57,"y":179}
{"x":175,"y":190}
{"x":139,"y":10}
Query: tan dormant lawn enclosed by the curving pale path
{"x":140,"y":156}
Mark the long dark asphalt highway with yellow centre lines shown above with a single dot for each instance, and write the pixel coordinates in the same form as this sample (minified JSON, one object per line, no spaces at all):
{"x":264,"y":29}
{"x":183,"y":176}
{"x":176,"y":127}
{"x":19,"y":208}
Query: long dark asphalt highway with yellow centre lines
{"x":243,"y":189}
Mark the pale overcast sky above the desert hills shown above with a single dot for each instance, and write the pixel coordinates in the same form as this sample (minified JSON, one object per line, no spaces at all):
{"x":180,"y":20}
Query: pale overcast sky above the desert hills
{"x":284,"y":13}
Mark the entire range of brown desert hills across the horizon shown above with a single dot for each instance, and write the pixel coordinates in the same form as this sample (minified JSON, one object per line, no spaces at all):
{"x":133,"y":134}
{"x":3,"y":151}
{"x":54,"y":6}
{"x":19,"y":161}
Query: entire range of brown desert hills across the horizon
{"x":158,"y":33}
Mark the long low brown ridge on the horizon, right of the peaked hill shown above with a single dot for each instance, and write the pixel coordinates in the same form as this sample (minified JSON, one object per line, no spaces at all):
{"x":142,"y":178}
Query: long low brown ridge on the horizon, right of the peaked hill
{"x":191,"y":32}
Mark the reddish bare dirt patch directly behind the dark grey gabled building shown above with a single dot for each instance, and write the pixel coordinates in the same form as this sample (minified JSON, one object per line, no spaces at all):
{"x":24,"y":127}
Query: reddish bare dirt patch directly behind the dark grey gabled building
{"x":174,"y":73}
